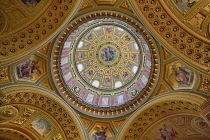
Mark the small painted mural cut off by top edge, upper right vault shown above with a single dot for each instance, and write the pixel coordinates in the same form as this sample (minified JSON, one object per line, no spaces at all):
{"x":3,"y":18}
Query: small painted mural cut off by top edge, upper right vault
{"x":185,"y":4}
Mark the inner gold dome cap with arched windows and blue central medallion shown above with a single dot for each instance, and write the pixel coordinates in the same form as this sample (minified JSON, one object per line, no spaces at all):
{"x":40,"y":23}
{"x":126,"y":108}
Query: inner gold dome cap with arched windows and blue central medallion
{"x":107,"y":57}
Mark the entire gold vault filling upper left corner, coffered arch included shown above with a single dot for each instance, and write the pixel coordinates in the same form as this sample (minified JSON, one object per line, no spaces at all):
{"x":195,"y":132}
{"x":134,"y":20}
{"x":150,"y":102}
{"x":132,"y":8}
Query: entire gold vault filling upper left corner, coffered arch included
{"x":24,"y":20}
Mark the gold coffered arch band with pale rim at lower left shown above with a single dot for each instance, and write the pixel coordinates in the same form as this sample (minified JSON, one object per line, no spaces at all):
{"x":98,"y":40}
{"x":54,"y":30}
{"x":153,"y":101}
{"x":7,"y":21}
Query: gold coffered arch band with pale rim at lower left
{"x":48,"y":103}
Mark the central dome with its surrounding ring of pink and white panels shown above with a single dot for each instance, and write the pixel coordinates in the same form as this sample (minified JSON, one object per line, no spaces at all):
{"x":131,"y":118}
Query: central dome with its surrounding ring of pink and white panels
{"x":105,"y":62}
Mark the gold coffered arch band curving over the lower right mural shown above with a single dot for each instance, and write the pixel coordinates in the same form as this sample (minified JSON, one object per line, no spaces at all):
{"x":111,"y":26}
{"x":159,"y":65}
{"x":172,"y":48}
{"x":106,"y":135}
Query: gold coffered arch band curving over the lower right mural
{"x":157,"y":109}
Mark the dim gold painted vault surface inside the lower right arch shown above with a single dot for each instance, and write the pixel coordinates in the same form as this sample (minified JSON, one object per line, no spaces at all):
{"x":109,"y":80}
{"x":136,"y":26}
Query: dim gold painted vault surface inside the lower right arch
{"x":180,"y":127}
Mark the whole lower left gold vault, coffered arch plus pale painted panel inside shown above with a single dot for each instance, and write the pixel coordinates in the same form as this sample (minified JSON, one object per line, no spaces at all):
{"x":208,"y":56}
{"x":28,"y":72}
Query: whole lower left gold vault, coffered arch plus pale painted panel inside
{"x":32,"y":104}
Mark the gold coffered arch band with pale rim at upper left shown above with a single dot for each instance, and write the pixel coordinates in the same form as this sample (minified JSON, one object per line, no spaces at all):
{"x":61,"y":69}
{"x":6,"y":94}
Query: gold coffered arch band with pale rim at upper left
{"x":38,"y":30}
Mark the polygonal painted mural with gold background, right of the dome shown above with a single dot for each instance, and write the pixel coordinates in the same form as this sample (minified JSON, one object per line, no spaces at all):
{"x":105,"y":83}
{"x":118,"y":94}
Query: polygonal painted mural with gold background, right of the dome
{"x":179,"y":76}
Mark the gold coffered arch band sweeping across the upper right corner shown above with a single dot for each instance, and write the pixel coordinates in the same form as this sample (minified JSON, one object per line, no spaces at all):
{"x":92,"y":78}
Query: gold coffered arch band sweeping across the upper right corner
{"x":174,"y":36}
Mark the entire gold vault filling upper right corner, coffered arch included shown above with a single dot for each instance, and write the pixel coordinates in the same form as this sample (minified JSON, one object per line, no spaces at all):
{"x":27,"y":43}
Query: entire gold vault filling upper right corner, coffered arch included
{"x":177,"y":27}
